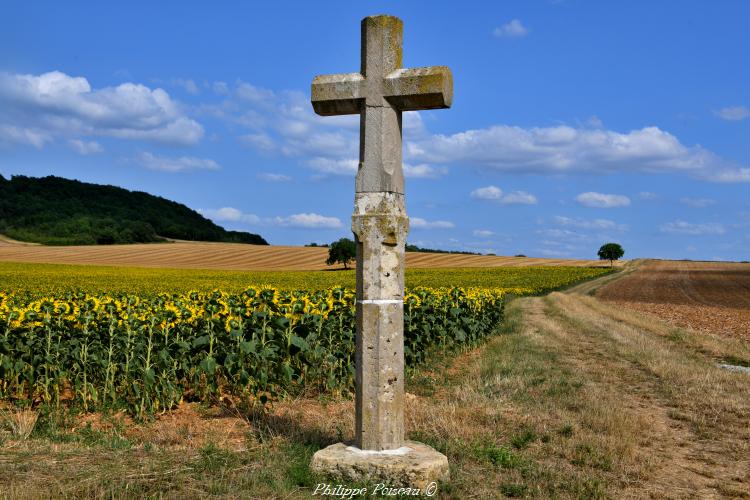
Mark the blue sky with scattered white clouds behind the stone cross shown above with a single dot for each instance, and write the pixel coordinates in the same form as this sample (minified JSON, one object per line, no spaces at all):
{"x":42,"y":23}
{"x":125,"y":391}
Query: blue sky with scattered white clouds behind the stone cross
{"x":573,"y":123}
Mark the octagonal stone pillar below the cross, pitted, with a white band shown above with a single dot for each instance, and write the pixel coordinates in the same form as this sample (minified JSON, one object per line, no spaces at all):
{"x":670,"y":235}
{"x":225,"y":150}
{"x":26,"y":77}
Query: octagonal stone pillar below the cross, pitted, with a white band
{"x":380,"y":226}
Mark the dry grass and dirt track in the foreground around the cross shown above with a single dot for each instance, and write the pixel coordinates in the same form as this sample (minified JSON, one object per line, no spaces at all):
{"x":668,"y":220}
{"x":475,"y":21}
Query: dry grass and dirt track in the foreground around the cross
{"x":576,"y":398}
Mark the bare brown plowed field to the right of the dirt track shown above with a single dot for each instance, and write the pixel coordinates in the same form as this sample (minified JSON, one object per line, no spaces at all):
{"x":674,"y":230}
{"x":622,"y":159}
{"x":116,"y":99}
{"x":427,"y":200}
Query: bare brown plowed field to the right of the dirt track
{"x":703,"y":296}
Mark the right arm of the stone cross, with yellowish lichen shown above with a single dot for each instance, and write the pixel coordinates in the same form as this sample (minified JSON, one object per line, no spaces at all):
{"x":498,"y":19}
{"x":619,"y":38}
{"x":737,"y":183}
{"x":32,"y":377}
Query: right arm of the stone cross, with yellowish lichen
{"x":420,"y":88}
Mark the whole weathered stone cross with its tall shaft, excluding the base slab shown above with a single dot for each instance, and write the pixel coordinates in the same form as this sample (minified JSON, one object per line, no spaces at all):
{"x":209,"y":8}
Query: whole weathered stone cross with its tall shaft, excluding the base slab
{"x":380,"y":92}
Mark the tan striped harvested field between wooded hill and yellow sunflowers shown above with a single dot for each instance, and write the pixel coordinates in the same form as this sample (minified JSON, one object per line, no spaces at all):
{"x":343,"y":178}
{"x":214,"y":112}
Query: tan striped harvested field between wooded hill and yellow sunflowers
{"x":233,"y":256}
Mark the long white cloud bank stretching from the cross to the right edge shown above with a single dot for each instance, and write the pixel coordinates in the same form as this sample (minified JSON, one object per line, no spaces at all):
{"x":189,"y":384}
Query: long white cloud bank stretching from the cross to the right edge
{"x":564,"y":149}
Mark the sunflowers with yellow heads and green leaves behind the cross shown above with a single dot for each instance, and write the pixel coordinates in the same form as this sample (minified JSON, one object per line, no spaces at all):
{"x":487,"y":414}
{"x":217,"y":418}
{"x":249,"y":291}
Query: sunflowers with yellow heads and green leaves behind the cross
{"x":147,"y":351}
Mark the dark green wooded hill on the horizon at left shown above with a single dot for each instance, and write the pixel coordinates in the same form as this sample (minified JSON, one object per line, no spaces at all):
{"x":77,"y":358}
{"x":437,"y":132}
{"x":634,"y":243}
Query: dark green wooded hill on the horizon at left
{"x":57,"y":211}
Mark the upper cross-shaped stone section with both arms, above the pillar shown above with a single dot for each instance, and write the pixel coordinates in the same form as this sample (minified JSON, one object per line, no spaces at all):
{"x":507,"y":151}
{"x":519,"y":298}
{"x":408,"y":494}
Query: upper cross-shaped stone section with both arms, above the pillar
{"x":380,"y":92}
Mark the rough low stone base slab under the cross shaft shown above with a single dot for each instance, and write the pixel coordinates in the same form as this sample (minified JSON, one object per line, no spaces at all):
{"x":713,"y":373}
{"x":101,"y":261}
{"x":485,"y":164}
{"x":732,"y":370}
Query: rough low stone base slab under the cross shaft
{"x":415,"y":466}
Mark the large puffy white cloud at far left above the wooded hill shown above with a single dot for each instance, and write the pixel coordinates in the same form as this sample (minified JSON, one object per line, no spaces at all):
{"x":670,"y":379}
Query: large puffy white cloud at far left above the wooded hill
{"x":56,"y":104}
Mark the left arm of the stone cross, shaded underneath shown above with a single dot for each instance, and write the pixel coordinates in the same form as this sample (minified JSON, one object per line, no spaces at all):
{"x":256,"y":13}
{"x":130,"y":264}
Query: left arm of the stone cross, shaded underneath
{"x":340,"y":94}
